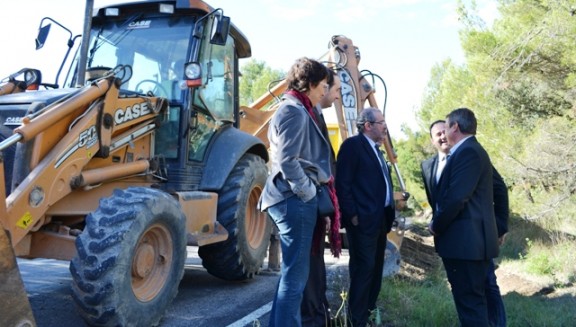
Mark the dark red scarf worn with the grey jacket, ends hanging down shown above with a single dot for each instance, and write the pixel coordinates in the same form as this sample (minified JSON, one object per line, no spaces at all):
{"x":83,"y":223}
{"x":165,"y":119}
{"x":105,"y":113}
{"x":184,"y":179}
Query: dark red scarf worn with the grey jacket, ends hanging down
{"x":334,"y":235}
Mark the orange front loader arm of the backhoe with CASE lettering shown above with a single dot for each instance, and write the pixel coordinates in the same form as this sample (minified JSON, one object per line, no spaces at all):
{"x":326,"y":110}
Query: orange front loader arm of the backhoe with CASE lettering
{"x":67,"y":136}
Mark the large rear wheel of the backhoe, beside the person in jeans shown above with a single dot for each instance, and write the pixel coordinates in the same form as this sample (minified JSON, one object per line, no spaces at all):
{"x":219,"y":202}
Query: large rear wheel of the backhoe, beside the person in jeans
{"x":241,"y":256}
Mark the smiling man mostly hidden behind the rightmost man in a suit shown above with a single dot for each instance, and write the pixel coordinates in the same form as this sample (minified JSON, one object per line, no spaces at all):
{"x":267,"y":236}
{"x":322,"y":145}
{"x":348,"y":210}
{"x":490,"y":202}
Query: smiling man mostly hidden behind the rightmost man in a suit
{"x":431,"y":170}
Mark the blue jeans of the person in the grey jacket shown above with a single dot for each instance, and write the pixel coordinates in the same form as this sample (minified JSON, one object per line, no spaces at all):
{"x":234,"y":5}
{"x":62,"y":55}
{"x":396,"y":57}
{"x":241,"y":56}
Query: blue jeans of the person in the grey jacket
{"x":295,"y":220}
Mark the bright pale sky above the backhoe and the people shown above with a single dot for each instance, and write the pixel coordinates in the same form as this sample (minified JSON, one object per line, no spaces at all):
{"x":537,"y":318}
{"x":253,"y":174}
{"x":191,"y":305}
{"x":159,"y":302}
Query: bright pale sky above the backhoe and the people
{"x":400,"y":40}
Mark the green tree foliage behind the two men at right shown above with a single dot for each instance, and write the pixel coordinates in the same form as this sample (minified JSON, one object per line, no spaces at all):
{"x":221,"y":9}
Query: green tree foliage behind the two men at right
{"x":519,"y":78}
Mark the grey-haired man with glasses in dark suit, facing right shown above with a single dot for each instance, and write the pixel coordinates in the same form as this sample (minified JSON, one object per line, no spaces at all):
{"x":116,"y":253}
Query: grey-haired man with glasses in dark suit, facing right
{"x":364,"y":190}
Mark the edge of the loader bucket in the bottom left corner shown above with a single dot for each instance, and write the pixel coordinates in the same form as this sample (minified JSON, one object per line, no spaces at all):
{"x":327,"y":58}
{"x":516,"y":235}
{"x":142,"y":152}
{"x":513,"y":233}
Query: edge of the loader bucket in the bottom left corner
{"x":15,"y":309}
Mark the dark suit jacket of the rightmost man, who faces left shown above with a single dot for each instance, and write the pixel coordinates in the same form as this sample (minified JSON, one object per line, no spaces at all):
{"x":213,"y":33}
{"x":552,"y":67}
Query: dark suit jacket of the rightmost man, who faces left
{"x":464,"y":222}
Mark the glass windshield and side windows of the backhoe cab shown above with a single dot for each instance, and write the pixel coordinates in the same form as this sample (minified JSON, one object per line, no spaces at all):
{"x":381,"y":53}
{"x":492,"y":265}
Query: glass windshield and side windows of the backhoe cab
{"x":156,"y":47}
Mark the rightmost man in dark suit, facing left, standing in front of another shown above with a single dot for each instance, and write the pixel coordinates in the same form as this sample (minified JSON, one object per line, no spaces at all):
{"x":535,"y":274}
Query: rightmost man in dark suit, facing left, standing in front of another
{"x":463,"y":223}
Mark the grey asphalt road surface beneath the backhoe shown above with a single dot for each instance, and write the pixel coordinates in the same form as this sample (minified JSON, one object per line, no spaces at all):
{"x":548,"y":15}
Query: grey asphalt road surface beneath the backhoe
{"x":202,"y":300}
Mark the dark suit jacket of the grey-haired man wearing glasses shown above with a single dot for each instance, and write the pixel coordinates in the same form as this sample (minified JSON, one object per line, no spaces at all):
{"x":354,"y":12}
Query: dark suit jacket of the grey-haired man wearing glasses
{"x":361,"y":187}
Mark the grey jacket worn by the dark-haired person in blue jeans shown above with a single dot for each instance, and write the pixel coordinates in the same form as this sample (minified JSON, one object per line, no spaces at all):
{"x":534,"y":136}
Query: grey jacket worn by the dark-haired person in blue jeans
{"x":300,"y":155}
